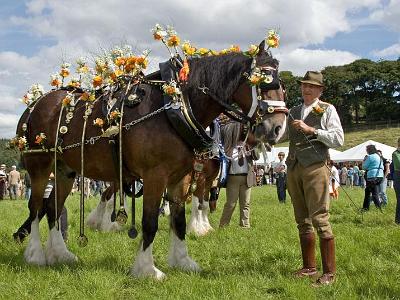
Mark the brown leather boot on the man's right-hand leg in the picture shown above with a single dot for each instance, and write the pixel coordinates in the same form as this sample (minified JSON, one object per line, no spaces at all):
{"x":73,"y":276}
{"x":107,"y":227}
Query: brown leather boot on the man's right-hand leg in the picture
{"x":328,"y":262}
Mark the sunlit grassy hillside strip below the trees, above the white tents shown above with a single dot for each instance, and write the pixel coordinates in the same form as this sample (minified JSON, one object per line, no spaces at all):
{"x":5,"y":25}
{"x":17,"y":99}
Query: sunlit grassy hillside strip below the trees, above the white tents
{"x":386,"y":136}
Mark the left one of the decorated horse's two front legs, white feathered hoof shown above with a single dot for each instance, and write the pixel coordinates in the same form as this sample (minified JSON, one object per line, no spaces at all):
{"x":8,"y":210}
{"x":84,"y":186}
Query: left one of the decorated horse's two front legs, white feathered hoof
{"x":154,"y":185}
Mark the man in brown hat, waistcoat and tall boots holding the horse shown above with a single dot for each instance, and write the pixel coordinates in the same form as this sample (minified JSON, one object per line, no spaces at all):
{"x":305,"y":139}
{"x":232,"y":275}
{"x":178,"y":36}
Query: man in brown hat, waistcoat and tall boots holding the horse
{"x":314,"y":127}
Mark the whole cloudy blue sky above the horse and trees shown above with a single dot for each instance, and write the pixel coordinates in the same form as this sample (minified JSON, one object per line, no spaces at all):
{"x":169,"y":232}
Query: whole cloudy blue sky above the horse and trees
{"x":37,"y":36}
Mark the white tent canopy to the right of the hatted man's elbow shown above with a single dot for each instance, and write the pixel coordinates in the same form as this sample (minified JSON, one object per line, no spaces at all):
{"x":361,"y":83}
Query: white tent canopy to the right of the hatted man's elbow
{"x":358,"y":152}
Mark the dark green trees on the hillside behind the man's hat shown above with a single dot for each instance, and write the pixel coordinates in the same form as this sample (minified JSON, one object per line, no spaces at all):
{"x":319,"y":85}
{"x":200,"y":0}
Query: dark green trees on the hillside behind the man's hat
{"x":363,"y":91}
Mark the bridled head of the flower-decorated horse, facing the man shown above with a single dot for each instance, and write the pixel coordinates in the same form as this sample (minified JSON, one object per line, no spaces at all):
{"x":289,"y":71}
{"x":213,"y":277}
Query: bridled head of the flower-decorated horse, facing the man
{"x":264,"y":103}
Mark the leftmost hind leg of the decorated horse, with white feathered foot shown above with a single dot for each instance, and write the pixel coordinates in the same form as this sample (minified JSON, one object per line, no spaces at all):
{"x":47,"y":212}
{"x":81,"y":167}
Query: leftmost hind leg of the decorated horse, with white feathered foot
{"x":39,"y":169}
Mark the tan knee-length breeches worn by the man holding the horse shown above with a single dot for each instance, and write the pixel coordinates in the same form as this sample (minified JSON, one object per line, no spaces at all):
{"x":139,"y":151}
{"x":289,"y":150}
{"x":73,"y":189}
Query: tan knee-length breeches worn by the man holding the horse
{"x":309,"y":189}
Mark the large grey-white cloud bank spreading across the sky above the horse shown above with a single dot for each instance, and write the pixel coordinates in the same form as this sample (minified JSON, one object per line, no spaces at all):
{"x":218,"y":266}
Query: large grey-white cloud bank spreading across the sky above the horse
{"x":78,"y":28}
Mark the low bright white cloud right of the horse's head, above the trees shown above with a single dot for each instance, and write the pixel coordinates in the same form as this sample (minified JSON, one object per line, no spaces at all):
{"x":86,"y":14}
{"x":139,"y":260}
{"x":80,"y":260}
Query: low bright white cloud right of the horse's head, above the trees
{"x":301,"y":60}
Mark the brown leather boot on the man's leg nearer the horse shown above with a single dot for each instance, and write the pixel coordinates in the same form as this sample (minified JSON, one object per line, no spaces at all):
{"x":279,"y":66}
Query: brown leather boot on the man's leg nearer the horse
{"x":307,"y":243}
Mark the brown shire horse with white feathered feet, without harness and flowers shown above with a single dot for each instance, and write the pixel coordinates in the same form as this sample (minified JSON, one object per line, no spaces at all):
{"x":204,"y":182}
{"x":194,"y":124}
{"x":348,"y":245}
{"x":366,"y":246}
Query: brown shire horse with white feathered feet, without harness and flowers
{"x":152,"y":150}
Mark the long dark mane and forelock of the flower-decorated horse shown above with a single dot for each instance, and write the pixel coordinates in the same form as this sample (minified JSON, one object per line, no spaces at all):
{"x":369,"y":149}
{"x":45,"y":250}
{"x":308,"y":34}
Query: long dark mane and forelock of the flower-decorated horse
{"x":222,"y":74}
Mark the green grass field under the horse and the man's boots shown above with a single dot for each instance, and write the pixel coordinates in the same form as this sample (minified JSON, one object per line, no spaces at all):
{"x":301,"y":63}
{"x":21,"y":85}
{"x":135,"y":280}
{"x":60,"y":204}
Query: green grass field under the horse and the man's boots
{"x":237,"y":263}
